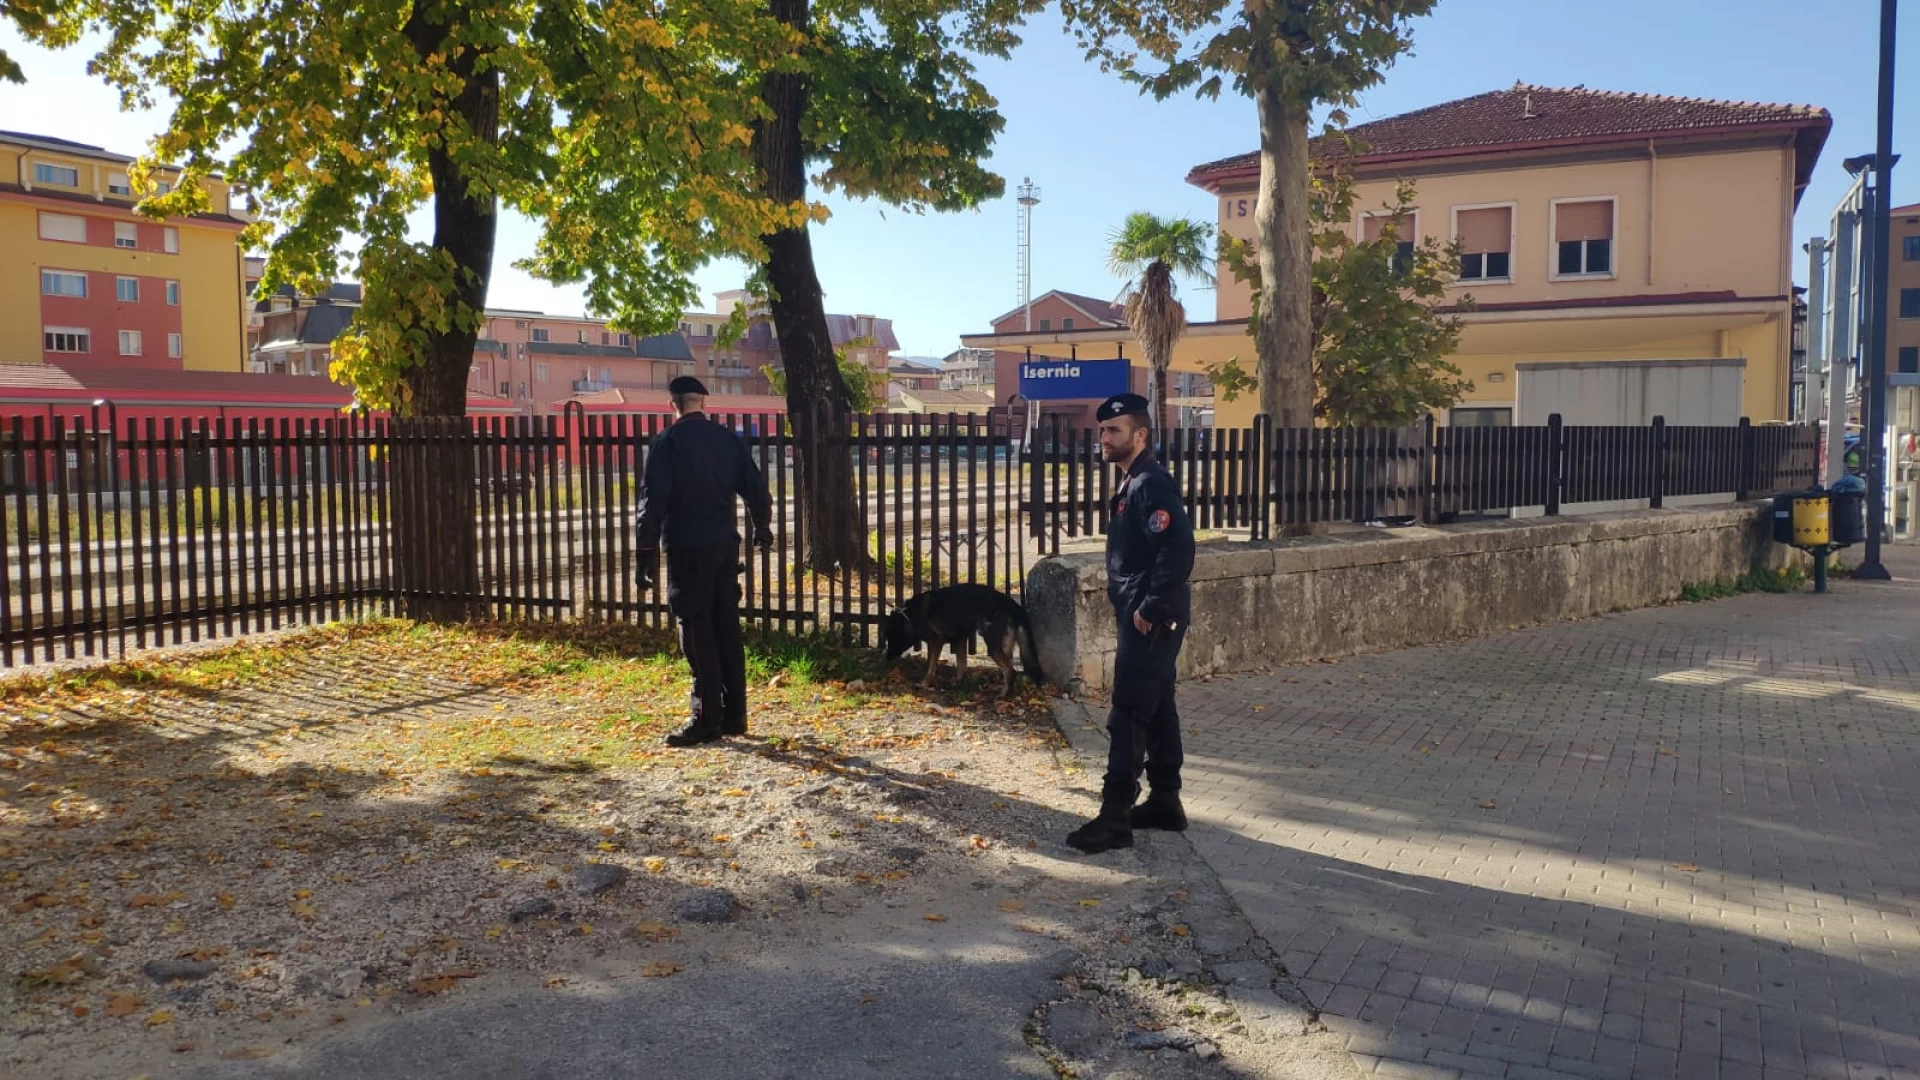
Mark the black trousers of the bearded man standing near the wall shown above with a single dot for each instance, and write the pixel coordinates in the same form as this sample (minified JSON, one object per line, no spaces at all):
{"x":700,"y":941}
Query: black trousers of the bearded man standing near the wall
{"x":1143,"y":725}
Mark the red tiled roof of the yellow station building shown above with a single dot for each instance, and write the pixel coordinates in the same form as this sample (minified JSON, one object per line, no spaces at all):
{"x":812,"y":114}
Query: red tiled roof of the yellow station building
{"x":1535,"y":118}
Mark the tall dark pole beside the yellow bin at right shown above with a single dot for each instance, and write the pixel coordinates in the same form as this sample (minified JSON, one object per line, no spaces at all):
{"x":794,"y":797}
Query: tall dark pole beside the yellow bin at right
{"x":1877,"y":287}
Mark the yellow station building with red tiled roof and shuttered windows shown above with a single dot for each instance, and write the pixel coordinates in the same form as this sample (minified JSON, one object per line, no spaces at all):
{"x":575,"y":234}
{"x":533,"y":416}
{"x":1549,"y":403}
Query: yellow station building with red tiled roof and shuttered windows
{"x":1627,"y":255}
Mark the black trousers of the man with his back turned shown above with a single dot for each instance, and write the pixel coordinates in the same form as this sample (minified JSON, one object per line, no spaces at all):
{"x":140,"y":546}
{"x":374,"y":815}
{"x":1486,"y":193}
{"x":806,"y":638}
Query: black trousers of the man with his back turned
{"x":704,"y":595}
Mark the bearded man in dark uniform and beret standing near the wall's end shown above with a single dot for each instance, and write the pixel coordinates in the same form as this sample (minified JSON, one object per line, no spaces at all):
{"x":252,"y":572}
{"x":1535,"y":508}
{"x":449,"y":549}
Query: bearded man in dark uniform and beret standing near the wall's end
{"x":1149,"y":558}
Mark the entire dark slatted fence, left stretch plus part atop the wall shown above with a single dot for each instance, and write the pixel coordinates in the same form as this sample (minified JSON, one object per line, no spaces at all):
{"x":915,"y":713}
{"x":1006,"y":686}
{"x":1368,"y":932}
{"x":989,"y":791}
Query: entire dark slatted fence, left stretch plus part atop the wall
{"x":122,"y":537}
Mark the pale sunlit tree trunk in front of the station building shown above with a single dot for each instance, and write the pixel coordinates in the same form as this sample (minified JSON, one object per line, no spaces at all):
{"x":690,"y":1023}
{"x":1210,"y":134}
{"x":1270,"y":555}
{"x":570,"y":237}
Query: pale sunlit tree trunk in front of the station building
{"x":1285,"y":251}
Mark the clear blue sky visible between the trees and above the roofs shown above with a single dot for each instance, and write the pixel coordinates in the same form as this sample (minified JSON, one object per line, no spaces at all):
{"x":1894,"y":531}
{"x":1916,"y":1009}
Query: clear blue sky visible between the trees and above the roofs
{"x":1099,"y":151}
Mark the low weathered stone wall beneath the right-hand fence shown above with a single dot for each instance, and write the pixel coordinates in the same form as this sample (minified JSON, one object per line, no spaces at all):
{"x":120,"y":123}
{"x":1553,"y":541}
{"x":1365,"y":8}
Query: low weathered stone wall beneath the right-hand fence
{"x":1297,"y":601}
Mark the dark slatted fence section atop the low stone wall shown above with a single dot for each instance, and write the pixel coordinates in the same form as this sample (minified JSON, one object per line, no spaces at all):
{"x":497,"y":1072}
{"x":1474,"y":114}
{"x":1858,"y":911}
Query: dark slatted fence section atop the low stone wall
{"x":1259,"y":479}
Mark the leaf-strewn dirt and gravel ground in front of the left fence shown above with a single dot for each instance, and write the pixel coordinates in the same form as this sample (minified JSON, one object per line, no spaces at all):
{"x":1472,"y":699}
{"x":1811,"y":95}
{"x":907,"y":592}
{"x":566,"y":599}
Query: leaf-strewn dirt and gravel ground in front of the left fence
{"x":231,"y":854}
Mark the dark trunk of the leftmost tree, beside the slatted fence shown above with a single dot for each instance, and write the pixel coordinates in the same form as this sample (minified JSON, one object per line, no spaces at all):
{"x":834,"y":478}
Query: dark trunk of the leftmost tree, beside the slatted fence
{"x":435,"y":535}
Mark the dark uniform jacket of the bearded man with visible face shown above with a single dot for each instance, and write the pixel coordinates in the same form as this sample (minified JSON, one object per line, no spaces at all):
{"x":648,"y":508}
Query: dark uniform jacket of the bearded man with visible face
{"x":1149,"y":547}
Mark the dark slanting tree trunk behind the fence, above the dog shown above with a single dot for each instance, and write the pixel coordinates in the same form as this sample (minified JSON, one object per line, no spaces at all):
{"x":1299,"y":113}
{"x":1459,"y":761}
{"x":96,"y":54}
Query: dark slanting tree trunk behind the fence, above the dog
{"x":817,"y":397}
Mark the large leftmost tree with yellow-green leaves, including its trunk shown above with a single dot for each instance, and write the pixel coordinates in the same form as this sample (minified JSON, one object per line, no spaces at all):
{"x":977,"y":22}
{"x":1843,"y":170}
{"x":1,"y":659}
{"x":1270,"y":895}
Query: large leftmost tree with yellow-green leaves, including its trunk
{"x":625,"y":128}
